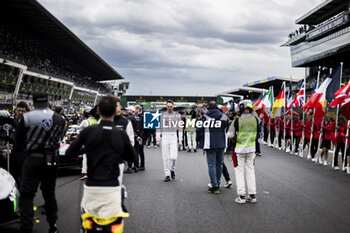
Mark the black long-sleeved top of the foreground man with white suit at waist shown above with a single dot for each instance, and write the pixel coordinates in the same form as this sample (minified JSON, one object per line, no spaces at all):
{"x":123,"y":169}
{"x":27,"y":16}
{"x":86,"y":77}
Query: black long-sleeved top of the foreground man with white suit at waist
{"x":105,"y":147}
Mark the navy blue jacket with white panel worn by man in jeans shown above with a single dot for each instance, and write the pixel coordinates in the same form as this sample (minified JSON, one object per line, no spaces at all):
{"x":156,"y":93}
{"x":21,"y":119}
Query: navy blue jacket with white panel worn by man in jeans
{"x":213,"y":137}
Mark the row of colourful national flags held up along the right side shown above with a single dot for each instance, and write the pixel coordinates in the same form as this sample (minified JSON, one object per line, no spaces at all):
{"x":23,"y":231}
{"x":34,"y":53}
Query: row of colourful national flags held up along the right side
{"x":317,"y":103}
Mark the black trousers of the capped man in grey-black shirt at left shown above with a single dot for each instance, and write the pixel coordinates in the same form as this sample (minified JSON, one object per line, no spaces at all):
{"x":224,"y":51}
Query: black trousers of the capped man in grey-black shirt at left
{"x":35,"y":171}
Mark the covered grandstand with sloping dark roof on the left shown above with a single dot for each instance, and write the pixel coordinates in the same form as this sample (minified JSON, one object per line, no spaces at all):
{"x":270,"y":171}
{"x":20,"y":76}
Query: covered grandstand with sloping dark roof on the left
{"x":39,"y":54}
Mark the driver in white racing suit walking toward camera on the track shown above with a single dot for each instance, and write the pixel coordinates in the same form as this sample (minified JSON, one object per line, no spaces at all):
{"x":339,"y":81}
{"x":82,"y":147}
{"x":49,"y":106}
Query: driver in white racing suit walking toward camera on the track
{"x":167,"y":138}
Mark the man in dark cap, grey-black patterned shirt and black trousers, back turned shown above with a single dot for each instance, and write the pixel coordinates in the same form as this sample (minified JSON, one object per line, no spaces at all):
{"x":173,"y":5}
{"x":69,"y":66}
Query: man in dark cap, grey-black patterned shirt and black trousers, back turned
{"x":41,"y":130}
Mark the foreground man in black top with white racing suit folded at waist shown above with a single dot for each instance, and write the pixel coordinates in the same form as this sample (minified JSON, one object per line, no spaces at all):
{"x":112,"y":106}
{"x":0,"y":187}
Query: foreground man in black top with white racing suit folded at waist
{"x":105,"y":147}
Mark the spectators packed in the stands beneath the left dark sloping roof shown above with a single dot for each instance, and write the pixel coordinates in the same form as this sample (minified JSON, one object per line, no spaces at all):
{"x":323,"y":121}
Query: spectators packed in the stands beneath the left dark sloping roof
{"x":19,"y":49}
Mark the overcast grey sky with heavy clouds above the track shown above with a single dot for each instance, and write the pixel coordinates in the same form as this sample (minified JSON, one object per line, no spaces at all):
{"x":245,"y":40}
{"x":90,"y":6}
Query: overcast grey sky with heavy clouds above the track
{"x":186,"y":47}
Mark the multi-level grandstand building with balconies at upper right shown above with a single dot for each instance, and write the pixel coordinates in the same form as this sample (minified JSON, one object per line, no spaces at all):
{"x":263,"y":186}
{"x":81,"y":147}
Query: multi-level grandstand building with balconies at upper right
{"x":322,"y":40}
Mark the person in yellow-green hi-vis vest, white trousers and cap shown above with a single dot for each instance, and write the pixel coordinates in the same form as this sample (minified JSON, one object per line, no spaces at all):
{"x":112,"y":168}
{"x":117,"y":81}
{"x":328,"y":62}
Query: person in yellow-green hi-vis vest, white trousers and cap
{"x":246,"y":130}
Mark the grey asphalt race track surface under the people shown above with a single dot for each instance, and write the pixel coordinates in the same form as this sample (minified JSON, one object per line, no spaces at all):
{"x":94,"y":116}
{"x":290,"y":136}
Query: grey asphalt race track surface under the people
{"x":294,"y":195}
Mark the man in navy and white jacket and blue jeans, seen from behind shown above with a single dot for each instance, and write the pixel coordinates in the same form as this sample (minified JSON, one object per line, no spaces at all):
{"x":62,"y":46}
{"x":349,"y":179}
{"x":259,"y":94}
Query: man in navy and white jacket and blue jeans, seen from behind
{"x":211,"y":131}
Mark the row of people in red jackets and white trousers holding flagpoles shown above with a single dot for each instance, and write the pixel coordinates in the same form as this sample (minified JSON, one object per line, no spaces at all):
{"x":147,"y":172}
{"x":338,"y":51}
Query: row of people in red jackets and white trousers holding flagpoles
{"x":309,"y":138}
